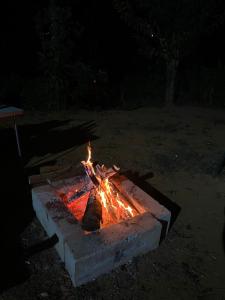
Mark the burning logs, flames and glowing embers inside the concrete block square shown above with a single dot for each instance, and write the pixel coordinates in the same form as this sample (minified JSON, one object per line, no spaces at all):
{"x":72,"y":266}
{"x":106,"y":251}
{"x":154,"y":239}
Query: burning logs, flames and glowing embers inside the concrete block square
{"x":94,"y":200}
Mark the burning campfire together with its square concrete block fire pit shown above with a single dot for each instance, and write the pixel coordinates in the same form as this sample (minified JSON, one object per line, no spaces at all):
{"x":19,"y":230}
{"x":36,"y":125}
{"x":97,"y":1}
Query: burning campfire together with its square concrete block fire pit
{"x":76,"y":208}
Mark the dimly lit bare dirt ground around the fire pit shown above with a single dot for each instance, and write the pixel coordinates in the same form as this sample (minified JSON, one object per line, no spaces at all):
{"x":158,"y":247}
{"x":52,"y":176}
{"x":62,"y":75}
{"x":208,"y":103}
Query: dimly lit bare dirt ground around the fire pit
{"x":180,"y":152}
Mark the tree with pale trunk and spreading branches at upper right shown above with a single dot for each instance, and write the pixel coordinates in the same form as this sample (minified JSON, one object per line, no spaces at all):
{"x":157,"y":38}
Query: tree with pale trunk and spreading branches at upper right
{"x":175,"y":26}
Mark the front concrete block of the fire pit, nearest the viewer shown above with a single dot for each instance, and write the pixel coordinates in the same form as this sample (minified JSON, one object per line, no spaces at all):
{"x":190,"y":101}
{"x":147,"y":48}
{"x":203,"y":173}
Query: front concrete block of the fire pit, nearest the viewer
{"x":98,"y":253}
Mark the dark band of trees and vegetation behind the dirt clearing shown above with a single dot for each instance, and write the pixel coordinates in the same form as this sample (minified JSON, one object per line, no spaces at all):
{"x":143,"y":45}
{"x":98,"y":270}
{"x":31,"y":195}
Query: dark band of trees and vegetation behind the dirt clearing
{"x":60,"y":54}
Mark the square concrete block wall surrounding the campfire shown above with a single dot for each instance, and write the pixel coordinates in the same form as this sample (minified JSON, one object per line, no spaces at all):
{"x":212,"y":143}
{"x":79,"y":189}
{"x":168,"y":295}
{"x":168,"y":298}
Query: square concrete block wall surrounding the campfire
{"x":88,"y":255}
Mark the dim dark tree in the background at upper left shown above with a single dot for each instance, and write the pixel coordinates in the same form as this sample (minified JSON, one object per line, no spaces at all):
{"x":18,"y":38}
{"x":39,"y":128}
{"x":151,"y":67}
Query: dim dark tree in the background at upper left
{"x":57,"y":33}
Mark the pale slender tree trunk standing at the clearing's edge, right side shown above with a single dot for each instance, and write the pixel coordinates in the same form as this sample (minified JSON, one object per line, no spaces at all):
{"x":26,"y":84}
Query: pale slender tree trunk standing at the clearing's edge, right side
{"x":171,"y":72}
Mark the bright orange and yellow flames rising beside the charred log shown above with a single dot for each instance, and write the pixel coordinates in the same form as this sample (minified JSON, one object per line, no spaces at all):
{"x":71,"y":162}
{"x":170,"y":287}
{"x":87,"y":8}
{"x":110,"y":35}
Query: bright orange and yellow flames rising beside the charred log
{"x":114,"y":206}
